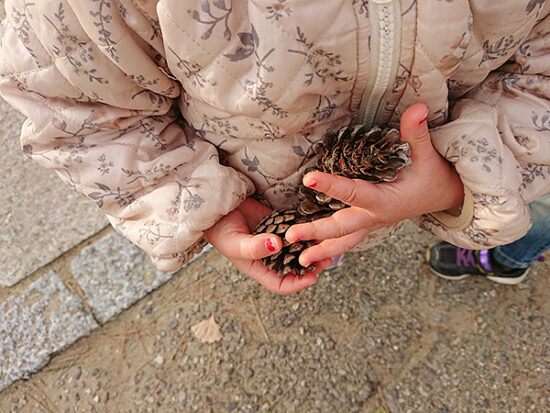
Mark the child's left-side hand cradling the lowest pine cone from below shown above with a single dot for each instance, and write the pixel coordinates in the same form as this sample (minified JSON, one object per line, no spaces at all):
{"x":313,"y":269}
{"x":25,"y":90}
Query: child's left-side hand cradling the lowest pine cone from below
{"x":231,"y":237}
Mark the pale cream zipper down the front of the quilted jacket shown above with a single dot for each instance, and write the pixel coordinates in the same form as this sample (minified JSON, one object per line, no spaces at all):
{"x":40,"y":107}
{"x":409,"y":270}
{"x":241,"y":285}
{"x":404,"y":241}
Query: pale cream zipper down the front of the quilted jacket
{"x":385,"y":44}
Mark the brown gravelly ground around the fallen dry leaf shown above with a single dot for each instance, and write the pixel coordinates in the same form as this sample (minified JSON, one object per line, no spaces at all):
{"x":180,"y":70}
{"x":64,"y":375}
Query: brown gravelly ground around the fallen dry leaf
{"x":379,"y":332}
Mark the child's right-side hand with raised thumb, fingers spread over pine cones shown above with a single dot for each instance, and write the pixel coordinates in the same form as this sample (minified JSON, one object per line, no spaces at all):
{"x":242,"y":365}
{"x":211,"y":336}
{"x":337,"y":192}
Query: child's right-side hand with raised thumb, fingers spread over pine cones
{"x":429,"y":184}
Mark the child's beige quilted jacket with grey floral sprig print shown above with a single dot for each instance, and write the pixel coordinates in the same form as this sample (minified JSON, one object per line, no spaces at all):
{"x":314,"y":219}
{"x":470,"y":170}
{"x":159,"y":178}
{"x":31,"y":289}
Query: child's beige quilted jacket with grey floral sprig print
{"x":169,"y":113}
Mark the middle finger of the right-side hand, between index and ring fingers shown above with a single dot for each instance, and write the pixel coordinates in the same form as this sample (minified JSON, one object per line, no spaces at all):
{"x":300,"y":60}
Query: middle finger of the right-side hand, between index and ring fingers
{"x":339,"y":224}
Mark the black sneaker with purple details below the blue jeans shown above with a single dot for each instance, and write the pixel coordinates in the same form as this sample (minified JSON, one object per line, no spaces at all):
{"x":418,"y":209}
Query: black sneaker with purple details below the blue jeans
{"x":454,"y":263}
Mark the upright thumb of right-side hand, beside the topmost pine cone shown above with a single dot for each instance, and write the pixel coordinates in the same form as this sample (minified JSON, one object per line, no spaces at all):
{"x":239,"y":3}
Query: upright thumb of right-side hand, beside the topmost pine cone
{"x":414,"y":130}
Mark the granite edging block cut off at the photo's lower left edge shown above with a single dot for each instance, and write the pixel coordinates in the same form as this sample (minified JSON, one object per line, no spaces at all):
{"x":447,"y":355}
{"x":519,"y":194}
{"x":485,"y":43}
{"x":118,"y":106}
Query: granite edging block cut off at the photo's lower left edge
{"x":39,"y":321}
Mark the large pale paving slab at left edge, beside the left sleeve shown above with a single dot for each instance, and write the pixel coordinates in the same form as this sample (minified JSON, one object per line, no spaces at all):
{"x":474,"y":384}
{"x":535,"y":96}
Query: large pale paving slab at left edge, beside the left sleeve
{"x":41,"y":217}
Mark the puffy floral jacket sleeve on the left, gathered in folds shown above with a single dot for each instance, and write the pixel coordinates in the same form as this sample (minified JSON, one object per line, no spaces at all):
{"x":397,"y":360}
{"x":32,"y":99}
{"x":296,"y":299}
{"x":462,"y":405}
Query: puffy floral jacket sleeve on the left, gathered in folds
{"x":92,"y":81}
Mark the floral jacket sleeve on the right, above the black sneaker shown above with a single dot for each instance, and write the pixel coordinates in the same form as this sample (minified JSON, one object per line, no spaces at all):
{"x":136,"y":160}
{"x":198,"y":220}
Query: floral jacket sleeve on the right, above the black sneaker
{"x":498,"y":139}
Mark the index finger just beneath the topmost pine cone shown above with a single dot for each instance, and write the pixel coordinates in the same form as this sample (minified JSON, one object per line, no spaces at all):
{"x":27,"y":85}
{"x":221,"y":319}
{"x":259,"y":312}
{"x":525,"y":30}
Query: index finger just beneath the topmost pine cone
{"x":354,"y":192}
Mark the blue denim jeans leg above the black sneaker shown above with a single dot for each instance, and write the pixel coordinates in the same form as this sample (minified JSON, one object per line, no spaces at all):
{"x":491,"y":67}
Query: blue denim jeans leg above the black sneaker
{"x":521,"y":253}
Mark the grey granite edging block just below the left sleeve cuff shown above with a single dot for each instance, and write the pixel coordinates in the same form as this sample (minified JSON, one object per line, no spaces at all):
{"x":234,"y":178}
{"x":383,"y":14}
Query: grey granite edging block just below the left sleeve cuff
{"x":113,"y":274}
